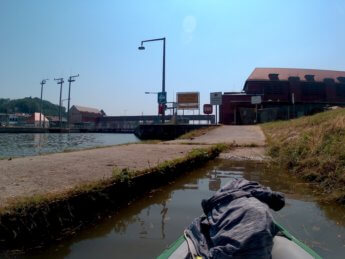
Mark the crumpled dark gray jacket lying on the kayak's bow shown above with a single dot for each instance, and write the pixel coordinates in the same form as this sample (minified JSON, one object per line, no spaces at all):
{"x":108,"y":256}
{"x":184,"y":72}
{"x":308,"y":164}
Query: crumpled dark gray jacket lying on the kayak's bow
{"x":236,"y":223}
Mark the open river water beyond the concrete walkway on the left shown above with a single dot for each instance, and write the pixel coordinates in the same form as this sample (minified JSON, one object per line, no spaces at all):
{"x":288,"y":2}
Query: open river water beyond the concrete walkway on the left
{"x":22,"y":144}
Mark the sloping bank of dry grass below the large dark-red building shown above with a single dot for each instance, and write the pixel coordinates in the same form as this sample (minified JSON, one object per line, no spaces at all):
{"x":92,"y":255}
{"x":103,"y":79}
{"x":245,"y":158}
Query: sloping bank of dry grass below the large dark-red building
{"x":312,"y":147}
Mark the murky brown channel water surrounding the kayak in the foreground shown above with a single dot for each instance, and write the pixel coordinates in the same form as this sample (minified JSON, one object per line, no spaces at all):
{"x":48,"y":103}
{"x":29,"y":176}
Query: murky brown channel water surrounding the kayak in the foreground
{"x":146,"y":227}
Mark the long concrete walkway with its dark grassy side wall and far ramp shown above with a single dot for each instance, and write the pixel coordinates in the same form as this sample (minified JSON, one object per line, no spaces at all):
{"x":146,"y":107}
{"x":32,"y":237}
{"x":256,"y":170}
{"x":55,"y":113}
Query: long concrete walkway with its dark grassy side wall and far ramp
{"x":48,"y":197}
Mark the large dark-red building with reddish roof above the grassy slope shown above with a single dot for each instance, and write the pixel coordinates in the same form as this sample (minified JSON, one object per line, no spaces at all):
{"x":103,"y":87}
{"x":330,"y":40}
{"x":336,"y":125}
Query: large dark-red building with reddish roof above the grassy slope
{"x":283,"y":93}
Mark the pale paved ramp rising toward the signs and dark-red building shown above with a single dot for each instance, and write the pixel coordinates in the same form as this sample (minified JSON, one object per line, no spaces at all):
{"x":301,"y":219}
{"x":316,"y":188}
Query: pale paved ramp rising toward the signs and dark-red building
{"x":241,"y":135}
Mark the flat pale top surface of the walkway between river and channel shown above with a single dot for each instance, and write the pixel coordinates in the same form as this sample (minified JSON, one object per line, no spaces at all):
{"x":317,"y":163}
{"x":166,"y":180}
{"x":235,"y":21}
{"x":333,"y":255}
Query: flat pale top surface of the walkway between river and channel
{"x":58,"y":172}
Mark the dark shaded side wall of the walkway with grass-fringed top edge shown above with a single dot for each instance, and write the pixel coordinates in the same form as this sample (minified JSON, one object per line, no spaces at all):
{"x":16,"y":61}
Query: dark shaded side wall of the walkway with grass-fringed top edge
{"x":37,"y":220}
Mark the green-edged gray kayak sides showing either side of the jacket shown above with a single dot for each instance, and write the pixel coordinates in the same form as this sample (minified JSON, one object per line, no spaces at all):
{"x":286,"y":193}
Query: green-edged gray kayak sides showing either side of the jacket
{"x":285,"y":246}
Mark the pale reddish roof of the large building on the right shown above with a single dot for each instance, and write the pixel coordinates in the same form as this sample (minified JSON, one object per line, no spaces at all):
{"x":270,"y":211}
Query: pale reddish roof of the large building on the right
{"x":262,"y":74}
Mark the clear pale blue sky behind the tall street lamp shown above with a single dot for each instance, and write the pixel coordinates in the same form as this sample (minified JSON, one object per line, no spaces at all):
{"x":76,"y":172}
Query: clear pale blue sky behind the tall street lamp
{"x":211,"y":46}
